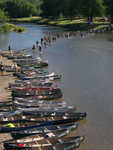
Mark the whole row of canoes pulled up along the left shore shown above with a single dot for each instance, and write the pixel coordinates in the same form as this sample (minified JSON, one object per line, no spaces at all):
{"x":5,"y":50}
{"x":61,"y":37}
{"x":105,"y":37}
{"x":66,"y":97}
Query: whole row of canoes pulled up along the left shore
{"x":36,"y":117}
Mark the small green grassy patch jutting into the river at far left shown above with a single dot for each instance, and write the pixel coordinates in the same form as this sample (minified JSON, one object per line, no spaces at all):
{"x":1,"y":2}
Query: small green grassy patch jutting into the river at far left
{"x":7,"y":27}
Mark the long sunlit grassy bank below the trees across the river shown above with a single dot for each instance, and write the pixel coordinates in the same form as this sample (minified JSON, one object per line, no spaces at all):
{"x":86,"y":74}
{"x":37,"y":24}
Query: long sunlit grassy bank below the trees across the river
{"x":74,"y":24}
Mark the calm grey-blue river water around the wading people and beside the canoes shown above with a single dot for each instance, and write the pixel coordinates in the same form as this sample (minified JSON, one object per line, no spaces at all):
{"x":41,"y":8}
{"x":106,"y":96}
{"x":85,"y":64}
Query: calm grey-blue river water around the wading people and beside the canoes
{"x":87,"y":84}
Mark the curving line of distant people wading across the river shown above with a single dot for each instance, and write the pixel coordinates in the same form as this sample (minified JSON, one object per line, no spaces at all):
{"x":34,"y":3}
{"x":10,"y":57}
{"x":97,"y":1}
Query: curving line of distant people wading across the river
{"x":51,"y":37}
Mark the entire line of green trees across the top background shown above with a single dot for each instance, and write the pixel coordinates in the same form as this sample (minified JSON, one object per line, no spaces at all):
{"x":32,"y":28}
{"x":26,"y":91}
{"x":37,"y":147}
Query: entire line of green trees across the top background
{"x":55,"y":8}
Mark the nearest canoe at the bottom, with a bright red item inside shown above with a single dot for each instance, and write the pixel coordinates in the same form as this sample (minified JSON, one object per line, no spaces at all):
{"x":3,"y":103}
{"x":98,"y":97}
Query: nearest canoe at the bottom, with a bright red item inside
{"x":34,"y":142}
